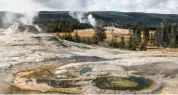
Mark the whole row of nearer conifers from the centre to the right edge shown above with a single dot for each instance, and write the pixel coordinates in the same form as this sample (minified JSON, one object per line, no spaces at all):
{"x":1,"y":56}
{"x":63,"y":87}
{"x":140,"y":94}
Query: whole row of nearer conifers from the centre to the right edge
{"x":140,"y":37}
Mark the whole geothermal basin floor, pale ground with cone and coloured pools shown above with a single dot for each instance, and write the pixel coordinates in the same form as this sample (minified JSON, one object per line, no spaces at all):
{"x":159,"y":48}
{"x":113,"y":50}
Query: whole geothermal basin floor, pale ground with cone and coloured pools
{"x":35,"y":62}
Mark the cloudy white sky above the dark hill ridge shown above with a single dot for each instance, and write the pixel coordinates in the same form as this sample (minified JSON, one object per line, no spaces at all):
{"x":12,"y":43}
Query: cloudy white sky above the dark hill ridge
{"x":148,"y":6}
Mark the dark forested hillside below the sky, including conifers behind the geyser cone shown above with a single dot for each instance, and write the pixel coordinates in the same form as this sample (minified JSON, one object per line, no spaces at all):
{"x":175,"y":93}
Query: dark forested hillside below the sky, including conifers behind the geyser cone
{"x":62,"y":21}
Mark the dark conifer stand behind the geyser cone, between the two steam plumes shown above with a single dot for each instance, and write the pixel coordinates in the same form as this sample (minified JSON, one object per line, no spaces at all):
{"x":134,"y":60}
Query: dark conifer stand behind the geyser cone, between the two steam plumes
{"x":61,"y":25}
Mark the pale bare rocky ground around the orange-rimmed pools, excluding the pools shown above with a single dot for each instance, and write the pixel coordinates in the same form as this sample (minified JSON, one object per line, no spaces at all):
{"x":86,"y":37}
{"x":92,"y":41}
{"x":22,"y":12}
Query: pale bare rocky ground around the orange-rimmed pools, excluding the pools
{"x":21,"y":49}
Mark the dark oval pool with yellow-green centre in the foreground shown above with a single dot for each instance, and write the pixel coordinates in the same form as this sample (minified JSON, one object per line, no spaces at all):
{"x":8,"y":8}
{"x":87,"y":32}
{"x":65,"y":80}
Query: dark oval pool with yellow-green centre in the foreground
{"x":122,"y":83}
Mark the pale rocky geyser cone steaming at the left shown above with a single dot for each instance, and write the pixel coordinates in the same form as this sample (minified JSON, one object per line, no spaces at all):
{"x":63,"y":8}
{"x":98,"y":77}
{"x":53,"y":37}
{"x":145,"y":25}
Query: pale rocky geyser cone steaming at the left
{"x":18,"y":28}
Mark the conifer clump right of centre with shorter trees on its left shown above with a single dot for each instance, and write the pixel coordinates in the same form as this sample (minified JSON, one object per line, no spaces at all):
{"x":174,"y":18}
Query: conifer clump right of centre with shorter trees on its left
{"x":135,"y":40}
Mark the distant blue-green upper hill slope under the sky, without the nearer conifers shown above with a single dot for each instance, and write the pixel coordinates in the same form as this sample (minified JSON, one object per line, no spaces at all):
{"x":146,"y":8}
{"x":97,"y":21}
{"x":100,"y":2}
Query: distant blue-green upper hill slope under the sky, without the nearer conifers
{"x":150,"y":19}
